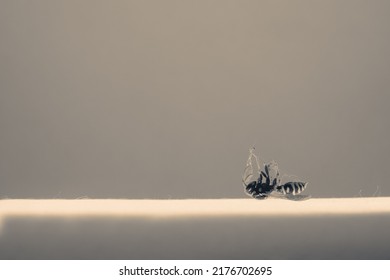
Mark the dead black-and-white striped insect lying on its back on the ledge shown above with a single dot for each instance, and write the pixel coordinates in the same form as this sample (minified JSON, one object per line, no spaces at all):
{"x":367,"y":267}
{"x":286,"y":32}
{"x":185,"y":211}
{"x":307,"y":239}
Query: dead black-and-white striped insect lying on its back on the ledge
{"x":268,"y":184}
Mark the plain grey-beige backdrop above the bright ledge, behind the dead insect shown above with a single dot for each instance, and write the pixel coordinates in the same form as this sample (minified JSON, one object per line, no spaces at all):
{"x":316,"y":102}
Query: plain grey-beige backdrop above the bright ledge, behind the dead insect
{"x":163,"y":99}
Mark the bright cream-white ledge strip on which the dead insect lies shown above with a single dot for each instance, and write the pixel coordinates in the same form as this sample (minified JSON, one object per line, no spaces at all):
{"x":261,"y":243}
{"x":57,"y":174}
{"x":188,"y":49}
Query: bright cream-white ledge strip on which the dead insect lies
{"x":193,"y":207}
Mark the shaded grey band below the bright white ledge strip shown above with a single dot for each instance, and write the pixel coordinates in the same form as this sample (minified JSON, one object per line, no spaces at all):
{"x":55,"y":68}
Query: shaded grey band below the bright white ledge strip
{"x":303,"y":238}
